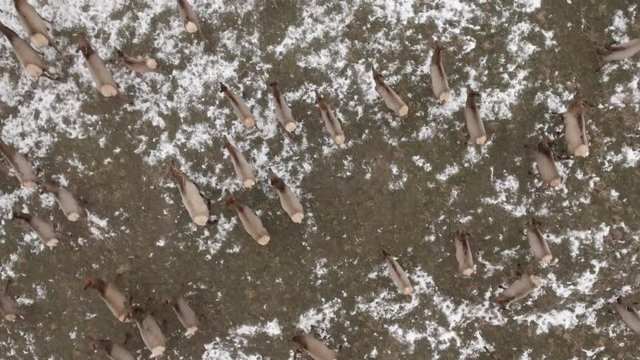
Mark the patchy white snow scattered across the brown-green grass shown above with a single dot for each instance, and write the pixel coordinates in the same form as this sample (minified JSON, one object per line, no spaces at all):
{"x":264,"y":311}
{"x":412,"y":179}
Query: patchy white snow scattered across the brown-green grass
{"x":40,"y":122}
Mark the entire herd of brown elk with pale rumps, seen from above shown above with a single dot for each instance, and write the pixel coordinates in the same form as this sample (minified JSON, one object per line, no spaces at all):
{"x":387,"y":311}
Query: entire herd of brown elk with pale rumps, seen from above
{"x":39,"y":34}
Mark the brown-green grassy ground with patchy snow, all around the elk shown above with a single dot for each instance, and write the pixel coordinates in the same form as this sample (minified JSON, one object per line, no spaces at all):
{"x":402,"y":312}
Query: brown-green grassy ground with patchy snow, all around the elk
{"x":503,"y":51}
